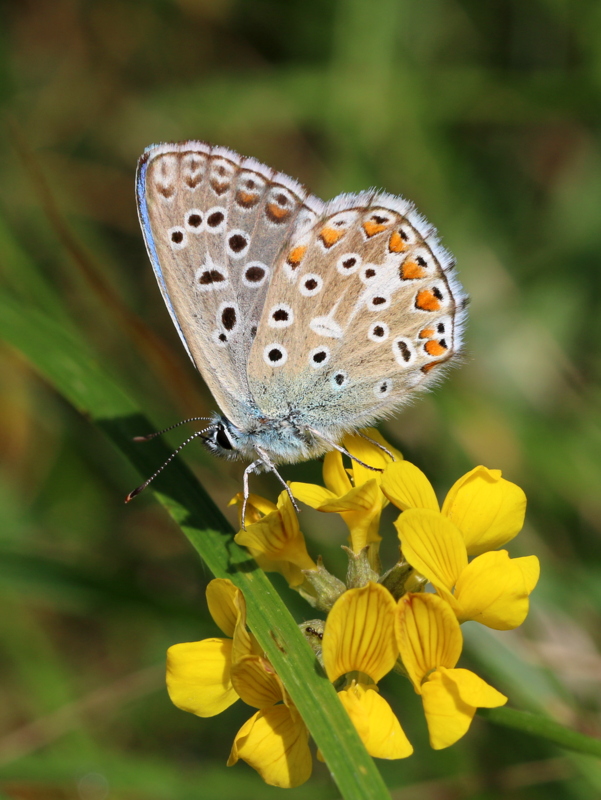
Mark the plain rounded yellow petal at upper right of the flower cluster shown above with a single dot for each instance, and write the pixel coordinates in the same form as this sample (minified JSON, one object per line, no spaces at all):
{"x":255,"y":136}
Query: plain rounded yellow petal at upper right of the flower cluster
{"x":488,"y":510}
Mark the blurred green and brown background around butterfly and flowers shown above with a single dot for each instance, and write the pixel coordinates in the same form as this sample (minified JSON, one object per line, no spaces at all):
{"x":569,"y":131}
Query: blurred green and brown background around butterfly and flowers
{"x":487,"y":115}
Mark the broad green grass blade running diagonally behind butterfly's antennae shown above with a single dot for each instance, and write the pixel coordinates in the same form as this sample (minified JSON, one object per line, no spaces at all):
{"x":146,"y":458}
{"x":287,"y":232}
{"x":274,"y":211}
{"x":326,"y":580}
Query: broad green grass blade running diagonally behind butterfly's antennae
{"x":68,"y":364}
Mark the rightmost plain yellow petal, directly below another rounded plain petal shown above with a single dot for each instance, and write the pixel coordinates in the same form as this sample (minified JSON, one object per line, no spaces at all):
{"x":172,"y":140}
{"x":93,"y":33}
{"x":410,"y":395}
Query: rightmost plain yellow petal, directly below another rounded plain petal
{"x":493,"y":589}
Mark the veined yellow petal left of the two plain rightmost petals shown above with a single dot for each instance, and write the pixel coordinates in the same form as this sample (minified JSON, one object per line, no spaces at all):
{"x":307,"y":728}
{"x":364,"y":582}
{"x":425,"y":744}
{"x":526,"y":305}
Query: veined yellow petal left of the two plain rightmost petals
{"x":432,"y":545}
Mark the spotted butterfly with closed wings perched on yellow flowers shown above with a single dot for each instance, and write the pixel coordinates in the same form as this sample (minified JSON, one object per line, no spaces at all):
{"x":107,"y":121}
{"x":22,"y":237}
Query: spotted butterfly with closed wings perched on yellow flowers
{"x":307,"y":319}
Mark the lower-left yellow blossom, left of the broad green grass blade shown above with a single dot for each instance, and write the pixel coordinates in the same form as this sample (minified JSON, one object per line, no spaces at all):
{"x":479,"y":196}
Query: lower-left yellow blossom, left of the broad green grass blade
{"x":206,"y":677}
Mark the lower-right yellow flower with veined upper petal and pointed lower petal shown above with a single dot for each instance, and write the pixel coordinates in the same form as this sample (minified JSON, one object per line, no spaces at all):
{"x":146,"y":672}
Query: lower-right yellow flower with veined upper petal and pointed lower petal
{"x":430,"y":643}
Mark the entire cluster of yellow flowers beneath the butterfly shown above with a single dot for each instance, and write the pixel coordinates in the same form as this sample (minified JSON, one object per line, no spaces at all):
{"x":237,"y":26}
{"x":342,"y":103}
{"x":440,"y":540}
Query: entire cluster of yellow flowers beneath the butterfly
{"x":408,"y":618}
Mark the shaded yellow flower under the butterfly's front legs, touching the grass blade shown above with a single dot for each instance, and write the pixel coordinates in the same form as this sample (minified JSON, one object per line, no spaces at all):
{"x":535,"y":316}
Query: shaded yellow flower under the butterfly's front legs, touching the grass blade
{"x":275,"y":540}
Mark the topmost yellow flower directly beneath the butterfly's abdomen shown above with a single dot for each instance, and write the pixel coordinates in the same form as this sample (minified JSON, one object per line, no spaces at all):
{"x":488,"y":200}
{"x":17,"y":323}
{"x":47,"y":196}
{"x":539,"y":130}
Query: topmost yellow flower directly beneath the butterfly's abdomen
{"x":355,"y":493}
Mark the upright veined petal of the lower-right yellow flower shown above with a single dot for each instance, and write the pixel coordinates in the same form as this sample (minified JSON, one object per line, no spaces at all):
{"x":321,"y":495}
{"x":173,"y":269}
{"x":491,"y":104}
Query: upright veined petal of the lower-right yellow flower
{"x":428,"y":635}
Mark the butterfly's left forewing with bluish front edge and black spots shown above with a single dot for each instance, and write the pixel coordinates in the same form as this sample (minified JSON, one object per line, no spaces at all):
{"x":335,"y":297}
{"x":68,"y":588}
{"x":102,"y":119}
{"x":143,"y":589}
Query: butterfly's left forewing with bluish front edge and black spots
{"x":214,"y":224}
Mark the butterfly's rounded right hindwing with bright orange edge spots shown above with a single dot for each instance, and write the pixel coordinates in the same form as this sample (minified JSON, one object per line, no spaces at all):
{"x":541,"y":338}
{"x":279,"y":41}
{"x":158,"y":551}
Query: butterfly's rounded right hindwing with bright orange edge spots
{"x":363,"y":311}
